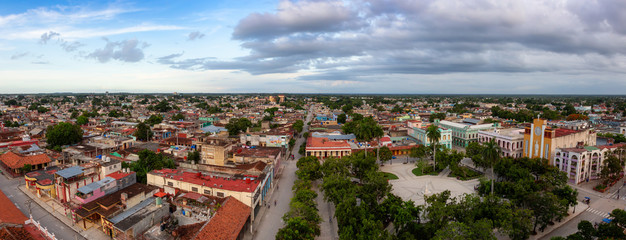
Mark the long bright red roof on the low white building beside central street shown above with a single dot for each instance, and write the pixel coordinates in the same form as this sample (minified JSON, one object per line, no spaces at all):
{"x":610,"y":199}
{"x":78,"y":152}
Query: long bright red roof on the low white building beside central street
{"x":238,"y":185}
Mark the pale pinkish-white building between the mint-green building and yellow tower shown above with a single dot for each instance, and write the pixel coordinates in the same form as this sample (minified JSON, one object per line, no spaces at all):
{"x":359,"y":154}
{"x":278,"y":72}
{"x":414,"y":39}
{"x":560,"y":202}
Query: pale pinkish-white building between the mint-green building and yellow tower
{"x":510,"y":140}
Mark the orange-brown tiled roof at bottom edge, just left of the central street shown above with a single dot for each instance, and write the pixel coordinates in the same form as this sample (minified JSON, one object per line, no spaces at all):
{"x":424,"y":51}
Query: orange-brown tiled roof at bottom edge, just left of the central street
{"x":227,"y":222}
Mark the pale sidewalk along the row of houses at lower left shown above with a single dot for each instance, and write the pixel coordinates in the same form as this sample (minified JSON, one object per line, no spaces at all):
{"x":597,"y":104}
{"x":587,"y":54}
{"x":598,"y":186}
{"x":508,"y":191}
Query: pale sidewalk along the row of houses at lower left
{"x":92,"y":233}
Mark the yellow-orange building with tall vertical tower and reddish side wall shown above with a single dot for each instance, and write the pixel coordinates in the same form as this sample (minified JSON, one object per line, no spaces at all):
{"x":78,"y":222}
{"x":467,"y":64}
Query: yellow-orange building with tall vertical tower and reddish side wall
{"x":541,"y":141}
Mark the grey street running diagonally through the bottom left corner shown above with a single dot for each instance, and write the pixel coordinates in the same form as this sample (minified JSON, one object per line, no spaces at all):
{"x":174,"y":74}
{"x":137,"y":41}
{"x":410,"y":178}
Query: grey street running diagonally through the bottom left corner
{"x":54,"y":225}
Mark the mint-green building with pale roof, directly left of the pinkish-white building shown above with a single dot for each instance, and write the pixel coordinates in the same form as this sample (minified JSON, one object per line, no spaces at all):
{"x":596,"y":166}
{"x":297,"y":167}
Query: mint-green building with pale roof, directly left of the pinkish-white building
{"x":464,"y":133}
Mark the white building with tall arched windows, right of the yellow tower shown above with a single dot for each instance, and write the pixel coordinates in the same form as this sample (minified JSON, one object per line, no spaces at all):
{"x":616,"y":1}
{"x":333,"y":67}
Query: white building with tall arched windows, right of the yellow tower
{"x":583,"y":163}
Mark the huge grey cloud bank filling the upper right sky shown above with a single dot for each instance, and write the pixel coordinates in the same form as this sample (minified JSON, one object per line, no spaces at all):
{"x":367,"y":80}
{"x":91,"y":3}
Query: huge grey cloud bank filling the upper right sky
{"x":350,"y":40}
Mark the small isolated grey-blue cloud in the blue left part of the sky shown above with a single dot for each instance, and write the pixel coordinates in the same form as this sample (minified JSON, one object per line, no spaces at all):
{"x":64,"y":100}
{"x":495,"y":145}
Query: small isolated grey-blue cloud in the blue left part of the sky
{"x":126,"y":51}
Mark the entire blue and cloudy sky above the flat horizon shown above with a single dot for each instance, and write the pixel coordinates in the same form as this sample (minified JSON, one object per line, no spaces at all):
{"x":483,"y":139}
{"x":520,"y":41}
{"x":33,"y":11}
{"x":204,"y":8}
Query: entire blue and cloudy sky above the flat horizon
{"x":310,"y":46}
